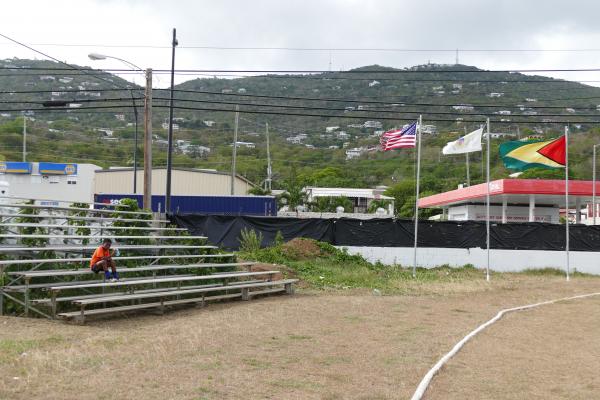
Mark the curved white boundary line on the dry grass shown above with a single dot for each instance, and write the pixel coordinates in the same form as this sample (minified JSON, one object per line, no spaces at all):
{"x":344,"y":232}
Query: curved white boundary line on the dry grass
{"x":434,"y":370}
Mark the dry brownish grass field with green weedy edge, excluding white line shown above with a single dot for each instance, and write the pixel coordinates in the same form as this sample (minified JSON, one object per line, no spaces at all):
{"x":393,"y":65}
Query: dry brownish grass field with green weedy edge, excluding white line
{"x":333,"y":340}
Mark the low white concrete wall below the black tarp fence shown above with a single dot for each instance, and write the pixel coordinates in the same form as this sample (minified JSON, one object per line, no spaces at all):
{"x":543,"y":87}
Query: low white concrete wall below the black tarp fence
{"x":500,"y":260}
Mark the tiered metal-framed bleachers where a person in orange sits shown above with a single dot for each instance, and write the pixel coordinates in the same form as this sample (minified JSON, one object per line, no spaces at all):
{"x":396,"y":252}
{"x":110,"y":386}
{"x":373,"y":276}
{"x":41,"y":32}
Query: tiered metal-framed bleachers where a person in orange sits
{"x":44,"y":265}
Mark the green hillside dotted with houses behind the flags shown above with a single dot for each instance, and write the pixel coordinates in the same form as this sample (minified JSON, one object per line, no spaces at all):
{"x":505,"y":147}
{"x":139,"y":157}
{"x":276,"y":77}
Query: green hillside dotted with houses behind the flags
{"x":295,"y":106}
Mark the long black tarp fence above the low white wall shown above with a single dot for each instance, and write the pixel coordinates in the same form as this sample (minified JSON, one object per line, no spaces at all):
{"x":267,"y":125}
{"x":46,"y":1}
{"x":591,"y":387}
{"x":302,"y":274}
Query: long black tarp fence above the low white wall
{"x":225,"y":231}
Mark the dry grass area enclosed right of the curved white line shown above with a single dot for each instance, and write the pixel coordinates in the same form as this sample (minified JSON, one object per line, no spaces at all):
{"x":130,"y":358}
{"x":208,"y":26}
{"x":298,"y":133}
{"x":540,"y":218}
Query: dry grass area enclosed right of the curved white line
{"x":548,"y":353}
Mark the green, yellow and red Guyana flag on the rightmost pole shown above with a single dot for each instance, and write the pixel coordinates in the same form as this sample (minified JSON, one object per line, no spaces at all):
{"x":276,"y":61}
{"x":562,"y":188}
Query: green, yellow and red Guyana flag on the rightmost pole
{"x":534,"y":154}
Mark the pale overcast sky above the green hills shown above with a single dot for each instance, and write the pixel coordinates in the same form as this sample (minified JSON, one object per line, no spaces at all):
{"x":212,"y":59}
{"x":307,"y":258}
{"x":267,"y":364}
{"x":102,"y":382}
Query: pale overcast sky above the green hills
{"x":69,"y":30}
